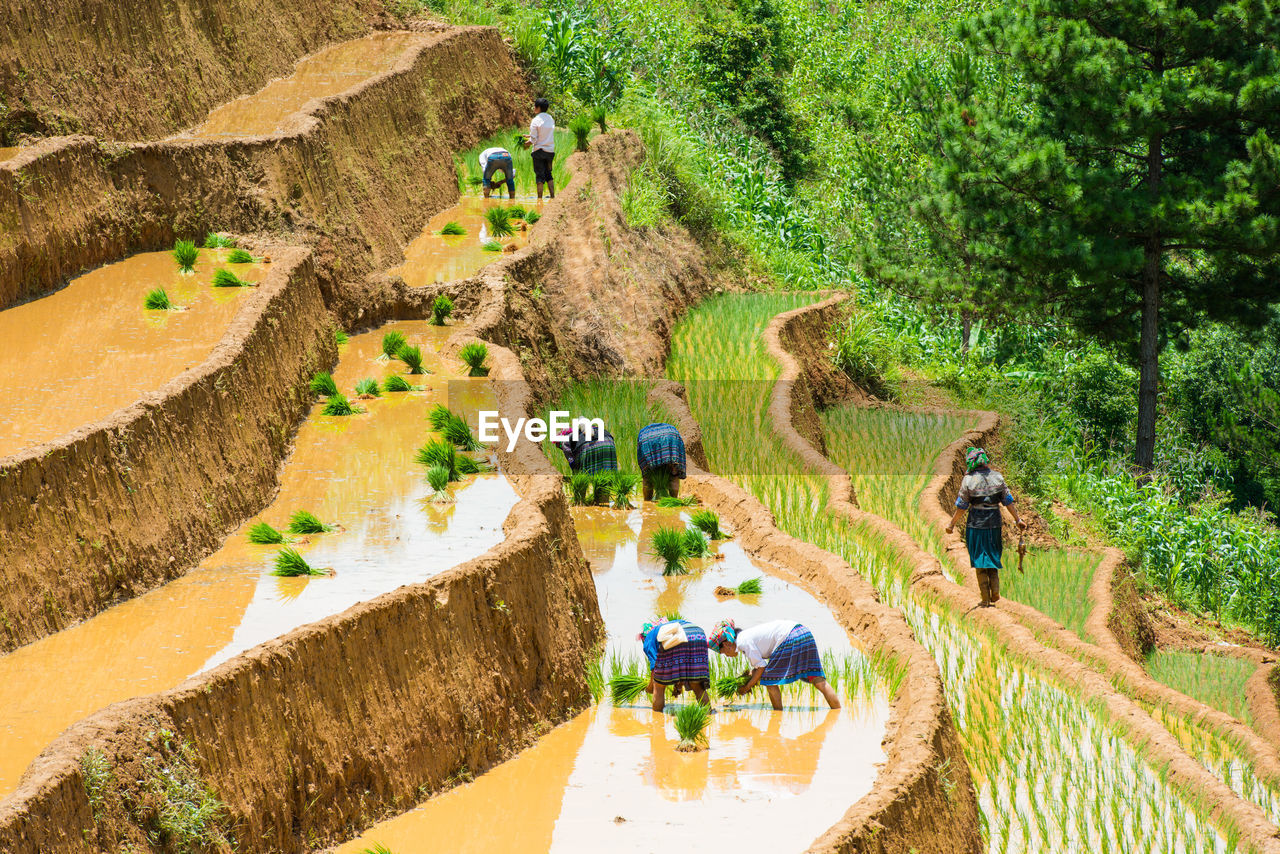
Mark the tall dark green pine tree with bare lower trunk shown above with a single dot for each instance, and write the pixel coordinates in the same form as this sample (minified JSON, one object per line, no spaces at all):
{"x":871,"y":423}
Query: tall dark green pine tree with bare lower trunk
{"x":1137,"y":190}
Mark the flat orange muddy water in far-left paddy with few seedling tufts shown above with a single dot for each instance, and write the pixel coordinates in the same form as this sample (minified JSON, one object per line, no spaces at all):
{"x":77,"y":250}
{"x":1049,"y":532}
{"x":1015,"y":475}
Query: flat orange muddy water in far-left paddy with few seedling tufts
{"x":92,"y":349}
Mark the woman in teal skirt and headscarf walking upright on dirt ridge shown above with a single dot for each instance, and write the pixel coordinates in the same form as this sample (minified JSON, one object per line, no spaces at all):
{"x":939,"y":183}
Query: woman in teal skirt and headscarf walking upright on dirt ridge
{"x":982,"y":494}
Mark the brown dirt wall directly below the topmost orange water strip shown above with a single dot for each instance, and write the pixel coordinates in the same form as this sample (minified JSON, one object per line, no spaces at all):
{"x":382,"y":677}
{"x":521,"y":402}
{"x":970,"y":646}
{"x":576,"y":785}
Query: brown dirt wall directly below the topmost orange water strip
{"x":356,"y":175}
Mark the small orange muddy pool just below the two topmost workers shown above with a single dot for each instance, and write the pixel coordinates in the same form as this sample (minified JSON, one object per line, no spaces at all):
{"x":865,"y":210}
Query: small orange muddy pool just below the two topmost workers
{"x":444,"y":258}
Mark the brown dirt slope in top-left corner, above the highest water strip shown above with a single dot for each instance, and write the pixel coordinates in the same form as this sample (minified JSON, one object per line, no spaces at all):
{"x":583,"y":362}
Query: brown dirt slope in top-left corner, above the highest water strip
{"x":135,"y":70}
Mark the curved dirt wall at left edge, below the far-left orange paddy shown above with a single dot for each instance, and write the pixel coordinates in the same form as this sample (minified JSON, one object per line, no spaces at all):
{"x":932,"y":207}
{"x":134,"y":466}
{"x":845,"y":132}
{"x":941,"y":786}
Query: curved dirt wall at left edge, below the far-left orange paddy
{"x":127,"y":503}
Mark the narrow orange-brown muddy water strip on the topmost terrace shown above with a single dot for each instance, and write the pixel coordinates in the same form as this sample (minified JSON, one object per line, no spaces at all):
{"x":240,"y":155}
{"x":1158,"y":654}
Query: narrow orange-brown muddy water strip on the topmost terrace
{"x":331,"y":72}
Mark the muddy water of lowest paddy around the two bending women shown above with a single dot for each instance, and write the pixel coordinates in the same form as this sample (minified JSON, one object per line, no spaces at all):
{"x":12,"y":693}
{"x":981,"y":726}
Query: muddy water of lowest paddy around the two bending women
{"x":612,"y":779}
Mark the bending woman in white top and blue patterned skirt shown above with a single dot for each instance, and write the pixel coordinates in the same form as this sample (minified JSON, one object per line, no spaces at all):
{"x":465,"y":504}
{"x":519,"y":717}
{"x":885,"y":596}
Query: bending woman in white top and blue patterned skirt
{"x":779,"y":652}
